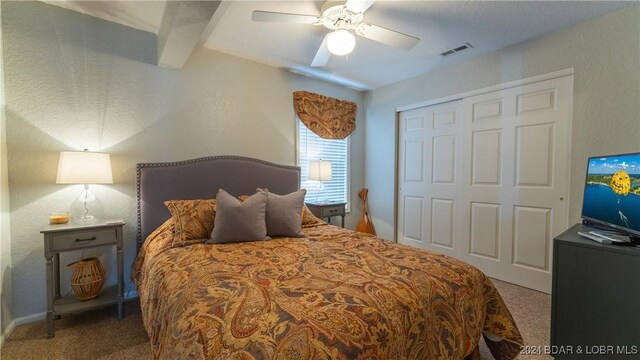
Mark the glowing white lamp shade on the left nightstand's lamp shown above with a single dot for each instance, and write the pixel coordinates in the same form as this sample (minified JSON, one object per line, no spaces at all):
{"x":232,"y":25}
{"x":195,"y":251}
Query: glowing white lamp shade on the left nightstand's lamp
{"x":84,"y":167}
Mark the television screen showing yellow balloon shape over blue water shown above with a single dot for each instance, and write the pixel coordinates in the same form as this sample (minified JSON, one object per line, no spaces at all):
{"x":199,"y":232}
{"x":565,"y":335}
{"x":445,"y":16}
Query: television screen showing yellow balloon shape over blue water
{"x":612,"y":192}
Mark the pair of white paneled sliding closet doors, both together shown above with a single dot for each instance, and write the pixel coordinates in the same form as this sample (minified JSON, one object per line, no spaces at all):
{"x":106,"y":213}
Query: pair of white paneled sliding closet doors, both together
{"x":492,"y":181}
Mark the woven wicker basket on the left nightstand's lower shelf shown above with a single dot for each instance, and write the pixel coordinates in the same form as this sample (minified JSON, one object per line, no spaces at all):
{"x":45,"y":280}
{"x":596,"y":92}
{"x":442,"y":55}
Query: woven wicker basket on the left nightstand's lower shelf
{"x":88,"y":278}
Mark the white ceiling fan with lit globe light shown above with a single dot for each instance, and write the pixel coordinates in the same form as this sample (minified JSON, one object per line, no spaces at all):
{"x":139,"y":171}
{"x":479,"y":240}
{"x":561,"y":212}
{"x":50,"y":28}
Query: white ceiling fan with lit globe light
{"x":341,"y":17}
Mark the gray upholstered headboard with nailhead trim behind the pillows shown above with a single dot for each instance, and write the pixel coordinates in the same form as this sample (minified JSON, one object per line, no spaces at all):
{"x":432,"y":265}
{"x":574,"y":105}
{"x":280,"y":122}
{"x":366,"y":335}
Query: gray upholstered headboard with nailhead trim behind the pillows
{"x":200,"y":179}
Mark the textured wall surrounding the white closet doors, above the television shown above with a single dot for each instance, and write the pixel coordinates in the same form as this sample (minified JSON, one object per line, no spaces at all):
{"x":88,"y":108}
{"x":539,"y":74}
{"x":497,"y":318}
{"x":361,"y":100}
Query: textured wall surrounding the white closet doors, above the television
{"x":605,"y":53}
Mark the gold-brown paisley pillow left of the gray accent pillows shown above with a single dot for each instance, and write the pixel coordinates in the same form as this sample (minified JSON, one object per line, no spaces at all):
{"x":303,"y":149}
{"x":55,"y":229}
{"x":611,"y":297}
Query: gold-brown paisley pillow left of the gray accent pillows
{"x":193,"y":220}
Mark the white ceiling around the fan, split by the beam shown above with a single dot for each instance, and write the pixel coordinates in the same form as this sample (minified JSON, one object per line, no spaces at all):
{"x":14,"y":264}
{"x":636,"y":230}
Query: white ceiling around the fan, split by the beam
{"x":441,"y":25}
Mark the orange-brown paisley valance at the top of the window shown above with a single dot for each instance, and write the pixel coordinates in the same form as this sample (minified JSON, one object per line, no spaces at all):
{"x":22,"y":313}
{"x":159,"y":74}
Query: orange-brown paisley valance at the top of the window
{"x":328,"y":117}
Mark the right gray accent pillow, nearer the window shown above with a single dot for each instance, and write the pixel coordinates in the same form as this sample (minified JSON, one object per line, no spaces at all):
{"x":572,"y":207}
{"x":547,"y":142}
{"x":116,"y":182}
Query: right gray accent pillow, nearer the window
{"x":284,"y":214}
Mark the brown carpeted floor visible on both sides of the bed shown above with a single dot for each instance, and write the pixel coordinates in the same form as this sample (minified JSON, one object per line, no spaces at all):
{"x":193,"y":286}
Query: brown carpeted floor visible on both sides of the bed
{"x":100,"y":335}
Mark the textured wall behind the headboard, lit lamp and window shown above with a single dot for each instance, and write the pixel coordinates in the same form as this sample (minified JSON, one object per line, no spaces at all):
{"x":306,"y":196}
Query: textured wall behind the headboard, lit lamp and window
{"x":74,"y":82}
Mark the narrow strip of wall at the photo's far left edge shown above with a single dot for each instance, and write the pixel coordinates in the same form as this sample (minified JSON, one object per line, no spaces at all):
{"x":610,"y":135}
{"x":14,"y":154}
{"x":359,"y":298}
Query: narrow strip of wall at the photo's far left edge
{"x":5,"y":230}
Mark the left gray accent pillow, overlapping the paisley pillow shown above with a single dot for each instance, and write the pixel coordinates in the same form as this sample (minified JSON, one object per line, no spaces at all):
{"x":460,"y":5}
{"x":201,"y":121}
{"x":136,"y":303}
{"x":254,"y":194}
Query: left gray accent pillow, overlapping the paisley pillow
{"x":238,"y":221}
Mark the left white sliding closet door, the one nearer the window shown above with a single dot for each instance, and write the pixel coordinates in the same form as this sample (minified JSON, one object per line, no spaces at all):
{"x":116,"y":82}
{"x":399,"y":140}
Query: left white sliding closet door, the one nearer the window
{"x":428,"y":175}
